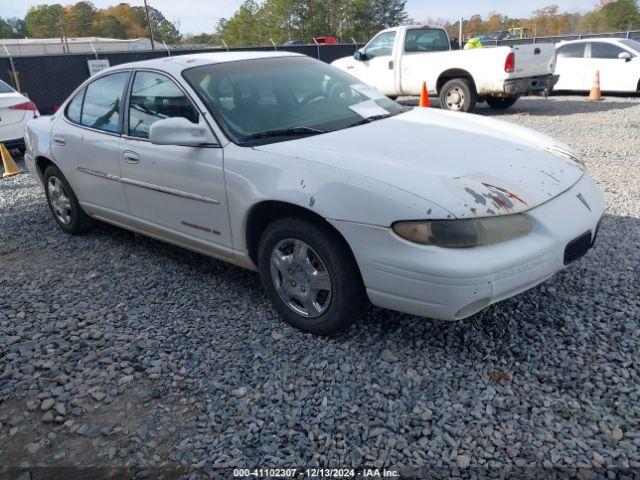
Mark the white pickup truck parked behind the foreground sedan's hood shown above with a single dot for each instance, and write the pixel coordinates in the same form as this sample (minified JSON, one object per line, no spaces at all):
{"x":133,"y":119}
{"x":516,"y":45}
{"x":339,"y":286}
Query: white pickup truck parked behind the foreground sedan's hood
{"x":398,"y":60}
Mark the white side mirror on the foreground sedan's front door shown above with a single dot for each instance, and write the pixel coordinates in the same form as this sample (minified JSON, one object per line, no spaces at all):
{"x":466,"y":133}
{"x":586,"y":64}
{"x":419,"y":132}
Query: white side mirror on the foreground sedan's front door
{"x":180,"y":131}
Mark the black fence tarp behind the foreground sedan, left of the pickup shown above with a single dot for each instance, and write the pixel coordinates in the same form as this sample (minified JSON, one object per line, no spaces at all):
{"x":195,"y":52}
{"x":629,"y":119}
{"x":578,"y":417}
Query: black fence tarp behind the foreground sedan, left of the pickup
{"x":49,"y":79}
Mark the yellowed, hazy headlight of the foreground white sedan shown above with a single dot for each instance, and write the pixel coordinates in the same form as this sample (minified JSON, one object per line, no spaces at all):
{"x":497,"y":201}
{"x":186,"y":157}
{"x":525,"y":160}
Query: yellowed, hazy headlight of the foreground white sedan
{"x":465,"y":233}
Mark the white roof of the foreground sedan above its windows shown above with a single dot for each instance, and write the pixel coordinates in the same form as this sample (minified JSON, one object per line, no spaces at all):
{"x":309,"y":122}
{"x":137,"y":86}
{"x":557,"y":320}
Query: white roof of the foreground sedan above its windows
{"x":177,"y":63}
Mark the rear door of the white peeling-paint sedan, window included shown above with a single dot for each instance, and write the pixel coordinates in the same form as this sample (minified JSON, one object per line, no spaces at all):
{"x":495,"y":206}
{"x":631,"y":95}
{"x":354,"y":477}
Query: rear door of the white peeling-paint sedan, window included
{"x":85,"y":141}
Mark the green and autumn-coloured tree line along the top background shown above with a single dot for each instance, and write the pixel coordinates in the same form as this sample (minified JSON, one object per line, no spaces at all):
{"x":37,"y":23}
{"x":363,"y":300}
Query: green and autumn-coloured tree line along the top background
{"x":260,"y":22}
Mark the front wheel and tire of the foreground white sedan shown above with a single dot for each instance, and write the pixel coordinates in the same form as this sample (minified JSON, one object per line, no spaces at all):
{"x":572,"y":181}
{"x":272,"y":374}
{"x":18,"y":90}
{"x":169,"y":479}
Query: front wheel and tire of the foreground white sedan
{"x":314,"y":281}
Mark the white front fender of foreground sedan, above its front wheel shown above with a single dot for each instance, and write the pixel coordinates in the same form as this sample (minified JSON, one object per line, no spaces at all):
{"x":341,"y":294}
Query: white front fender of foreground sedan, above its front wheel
{"x":254,"y":176}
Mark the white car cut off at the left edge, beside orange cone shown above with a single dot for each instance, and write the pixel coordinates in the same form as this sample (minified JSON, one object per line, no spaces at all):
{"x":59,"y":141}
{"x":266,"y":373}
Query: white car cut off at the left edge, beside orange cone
{"x":15,"y":111}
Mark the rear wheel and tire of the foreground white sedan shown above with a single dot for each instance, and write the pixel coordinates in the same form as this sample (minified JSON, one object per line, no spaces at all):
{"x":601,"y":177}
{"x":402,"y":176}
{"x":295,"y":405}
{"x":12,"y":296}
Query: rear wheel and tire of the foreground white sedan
{"x":63,"y":203}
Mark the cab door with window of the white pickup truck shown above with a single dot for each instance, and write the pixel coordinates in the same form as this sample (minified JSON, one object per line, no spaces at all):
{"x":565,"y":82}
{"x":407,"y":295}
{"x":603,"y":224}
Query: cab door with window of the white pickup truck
{"x":378,"y":68}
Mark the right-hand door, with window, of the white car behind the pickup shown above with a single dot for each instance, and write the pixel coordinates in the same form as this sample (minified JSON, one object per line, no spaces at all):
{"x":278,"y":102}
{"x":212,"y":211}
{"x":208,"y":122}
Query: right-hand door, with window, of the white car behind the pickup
{"x":616,"y":74}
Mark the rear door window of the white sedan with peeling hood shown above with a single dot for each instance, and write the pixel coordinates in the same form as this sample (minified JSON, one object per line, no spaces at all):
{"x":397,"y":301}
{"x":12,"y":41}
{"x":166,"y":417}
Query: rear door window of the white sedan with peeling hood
{"x":103,"y":102}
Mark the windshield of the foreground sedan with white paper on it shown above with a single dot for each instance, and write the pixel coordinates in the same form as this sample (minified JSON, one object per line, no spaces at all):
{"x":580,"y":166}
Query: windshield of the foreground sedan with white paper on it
{"x":276,"y":99}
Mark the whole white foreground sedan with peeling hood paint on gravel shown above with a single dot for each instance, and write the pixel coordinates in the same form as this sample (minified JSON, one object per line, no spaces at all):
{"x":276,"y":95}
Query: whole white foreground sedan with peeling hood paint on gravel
{"x":337,"y":195}
